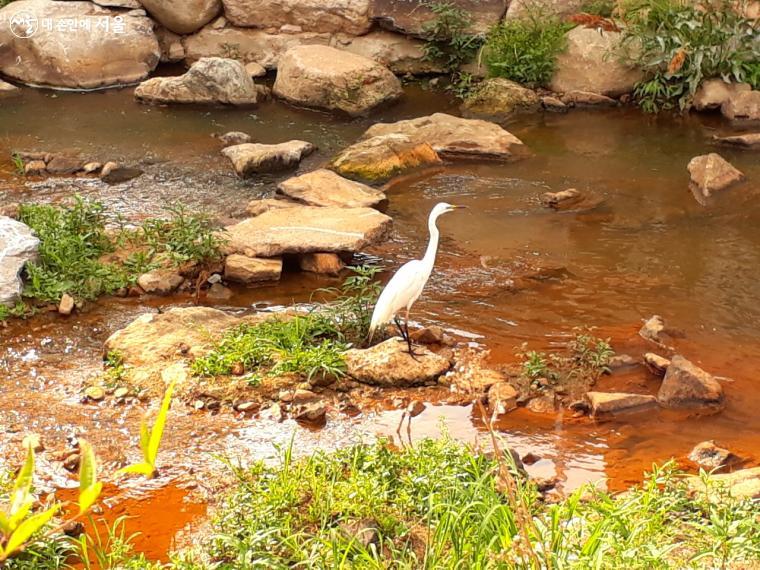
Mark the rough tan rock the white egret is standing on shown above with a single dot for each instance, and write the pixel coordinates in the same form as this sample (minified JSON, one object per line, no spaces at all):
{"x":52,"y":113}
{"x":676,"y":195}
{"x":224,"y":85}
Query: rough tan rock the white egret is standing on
{"x":390,"y":365}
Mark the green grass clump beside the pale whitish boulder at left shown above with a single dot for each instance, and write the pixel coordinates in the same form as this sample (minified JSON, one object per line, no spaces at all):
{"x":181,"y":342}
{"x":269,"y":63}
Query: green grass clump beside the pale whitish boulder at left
{"x":76,"y":249}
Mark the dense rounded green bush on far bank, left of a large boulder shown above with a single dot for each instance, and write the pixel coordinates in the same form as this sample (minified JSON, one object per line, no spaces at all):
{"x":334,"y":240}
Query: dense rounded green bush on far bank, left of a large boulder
{"x":525,"y":49}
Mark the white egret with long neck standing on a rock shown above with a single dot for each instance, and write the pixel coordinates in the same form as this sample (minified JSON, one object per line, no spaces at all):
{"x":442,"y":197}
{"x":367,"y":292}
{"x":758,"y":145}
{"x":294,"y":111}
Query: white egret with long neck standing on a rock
{"x":406,"y":286}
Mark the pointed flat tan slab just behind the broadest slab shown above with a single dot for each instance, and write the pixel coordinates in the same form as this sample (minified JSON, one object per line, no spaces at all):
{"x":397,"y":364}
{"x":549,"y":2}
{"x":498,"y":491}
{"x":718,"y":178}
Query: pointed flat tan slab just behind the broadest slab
{"x":326,"y":188}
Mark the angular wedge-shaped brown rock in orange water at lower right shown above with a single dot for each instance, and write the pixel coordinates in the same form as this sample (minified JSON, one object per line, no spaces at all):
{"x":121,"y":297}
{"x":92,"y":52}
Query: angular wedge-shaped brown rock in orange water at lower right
{"x":687,"y":386}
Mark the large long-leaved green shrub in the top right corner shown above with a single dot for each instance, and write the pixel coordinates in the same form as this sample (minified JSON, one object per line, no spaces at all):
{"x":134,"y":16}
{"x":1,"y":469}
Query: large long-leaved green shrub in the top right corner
{"x":679,"y":44}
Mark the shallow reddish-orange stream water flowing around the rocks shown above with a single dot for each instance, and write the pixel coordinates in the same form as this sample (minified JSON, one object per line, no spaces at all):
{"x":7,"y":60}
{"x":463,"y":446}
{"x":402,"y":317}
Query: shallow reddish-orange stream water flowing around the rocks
{"x":647,"y":248}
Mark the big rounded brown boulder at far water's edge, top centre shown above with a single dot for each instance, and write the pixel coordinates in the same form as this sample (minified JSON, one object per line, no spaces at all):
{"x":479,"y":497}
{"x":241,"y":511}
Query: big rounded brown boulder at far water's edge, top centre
{"x":328,"y":78}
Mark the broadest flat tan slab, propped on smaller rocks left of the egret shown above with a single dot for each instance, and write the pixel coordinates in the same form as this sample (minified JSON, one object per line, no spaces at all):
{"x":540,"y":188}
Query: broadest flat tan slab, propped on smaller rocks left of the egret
{"x":307,"y":229}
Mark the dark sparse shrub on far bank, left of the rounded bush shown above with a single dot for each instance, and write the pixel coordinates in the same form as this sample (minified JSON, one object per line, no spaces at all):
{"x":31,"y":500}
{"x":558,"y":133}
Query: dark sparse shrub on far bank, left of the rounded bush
{"x":447,"y":40}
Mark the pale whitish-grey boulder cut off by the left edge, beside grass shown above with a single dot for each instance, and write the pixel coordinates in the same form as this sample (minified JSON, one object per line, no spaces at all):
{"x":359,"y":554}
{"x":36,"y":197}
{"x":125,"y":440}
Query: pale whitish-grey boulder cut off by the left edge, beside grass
{"x":18,"y":245}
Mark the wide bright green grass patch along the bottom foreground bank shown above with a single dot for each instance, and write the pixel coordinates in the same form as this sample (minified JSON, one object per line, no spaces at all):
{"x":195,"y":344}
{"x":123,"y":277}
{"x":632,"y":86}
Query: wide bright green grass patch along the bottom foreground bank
{"x":441,"y":505}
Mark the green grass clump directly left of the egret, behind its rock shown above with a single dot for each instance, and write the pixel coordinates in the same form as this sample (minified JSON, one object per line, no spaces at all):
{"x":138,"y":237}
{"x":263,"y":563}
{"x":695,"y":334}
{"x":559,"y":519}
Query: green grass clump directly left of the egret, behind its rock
{"x":310,"y":345}
